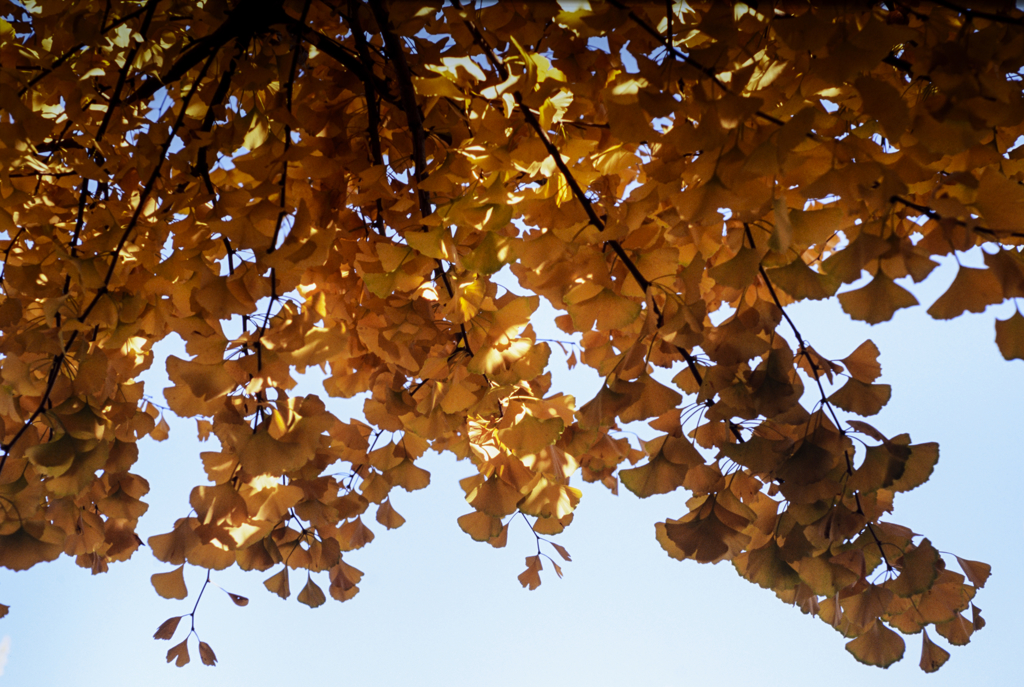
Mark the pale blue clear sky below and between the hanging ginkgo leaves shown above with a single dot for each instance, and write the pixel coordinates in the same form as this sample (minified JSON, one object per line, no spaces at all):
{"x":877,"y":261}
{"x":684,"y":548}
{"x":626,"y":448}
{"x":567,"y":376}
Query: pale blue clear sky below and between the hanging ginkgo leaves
{"x":438,"y":609}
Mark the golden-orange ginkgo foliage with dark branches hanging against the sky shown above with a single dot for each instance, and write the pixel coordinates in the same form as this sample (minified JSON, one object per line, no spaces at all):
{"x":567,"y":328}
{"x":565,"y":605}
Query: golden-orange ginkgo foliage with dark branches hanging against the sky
{"x":321,"y":184}
